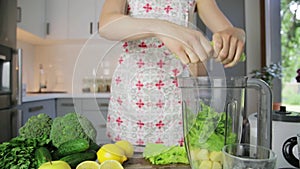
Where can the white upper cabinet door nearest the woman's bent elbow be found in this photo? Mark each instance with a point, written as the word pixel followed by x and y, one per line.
pixel 81 18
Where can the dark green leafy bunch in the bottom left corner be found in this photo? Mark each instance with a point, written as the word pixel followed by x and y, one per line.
pixel 18 153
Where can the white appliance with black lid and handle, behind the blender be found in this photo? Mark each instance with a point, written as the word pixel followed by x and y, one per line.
pixel 285 127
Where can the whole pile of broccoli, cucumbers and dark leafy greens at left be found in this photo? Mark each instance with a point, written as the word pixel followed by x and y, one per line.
pixel 41 138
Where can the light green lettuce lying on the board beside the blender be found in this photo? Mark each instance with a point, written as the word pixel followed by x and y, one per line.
pixel 161 154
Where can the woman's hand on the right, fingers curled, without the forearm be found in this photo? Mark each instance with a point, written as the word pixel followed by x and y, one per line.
pixel 229 45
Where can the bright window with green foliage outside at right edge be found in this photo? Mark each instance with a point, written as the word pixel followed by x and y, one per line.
pixel 290 53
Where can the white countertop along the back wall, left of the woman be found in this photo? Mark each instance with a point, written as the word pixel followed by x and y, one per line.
pixel 45 96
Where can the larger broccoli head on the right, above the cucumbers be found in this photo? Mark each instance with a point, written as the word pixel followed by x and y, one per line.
pixel 71 126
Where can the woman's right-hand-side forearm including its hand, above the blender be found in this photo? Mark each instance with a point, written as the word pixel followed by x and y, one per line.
pixel 228 40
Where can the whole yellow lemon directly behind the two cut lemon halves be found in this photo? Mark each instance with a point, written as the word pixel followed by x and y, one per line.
pixel 111 152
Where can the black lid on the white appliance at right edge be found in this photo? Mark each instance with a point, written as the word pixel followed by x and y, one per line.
pixel 286 116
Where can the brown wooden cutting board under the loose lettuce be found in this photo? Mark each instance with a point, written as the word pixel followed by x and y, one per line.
pixel 138 162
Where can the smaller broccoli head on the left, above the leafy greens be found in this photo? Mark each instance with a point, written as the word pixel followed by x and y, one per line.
pixel 37 127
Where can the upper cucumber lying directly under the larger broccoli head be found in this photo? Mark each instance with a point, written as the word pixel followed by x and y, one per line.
pixel 71 147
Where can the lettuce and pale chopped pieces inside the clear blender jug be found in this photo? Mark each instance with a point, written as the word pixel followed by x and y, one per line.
pixel 206 136
